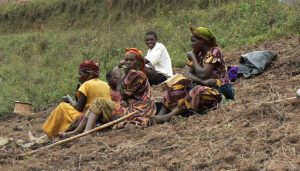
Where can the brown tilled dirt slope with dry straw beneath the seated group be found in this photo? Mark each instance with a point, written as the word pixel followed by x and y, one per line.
pixel 247 134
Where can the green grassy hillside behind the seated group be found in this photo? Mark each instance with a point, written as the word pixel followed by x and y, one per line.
pixel 42 42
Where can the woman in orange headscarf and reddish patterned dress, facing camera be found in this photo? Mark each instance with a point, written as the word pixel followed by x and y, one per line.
pixel 135 90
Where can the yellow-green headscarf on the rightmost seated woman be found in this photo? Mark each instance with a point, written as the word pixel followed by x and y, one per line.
pixel 206 34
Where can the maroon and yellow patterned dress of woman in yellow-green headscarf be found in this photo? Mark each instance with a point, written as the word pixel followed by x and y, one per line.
pixel 187 95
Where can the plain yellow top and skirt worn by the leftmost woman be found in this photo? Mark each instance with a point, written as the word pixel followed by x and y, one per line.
pixel 65 114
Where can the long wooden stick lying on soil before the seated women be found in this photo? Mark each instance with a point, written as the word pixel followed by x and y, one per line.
pixel 84 133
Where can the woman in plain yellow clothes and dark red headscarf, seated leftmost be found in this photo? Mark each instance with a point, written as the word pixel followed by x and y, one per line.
pixel 70 110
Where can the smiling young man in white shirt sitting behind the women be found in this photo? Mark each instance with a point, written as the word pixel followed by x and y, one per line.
pixel 159 66
